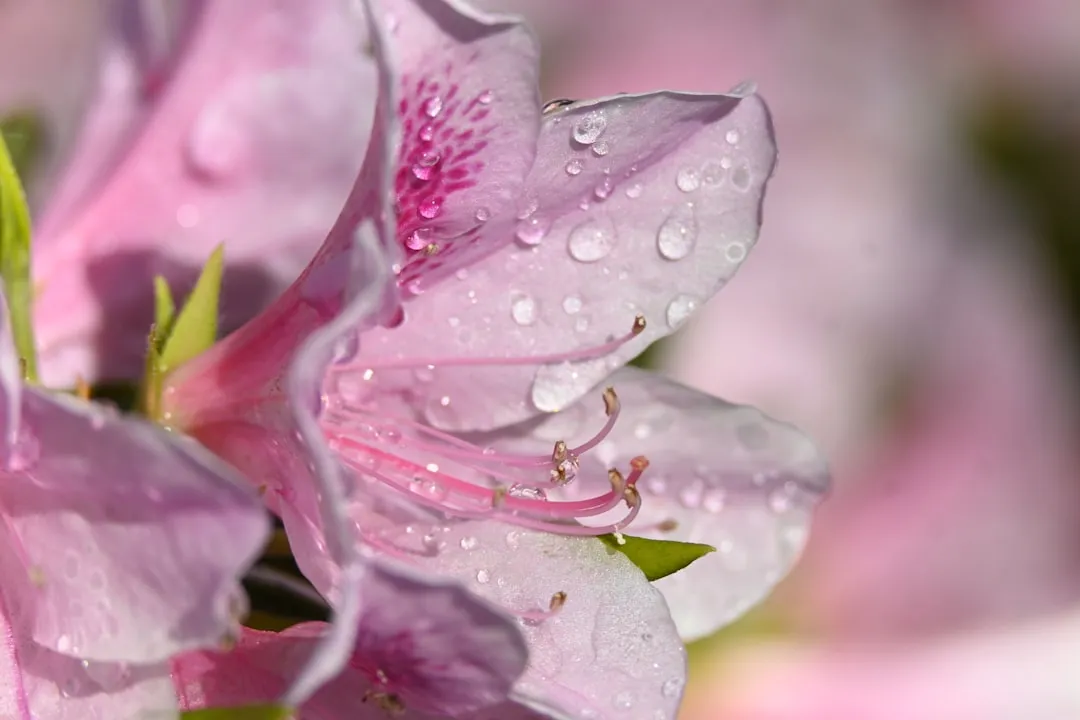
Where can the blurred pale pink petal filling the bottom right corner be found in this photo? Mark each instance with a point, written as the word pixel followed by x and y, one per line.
pixel 1012 674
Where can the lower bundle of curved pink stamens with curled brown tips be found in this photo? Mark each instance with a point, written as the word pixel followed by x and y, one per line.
pixel 462 480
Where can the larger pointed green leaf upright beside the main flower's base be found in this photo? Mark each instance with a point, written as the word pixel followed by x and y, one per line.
pixel 195 330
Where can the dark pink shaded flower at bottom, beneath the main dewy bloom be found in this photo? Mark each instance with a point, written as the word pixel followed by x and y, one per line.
pixel 440 650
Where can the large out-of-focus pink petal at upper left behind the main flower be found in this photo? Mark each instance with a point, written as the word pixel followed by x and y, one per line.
pixel 254 141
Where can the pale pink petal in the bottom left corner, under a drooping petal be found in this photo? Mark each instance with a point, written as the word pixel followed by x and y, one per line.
pixel 37 684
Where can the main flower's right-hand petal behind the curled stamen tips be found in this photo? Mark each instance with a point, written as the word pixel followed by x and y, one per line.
pixel 726 476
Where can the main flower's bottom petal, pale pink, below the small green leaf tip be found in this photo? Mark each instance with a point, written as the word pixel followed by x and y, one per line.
pixel 611 646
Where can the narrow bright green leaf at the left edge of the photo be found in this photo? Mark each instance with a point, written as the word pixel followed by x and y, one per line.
pixel 16 262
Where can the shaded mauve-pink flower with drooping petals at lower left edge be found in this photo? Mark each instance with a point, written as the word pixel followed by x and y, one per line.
pixel 121 548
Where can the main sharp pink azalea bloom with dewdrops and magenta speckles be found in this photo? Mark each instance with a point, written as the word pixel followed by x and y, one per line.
pixel 533 254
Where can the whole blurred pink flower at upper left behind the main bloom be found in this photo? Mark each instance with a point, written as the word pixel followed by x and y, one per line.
pixel 209 124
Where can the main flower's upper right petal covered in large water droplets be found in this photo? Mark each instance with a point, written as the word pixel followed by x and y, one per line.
pixel 654 227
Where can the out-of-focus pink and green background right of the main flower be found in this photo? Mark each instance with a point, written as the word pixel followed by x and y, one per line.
pixel 913 304
